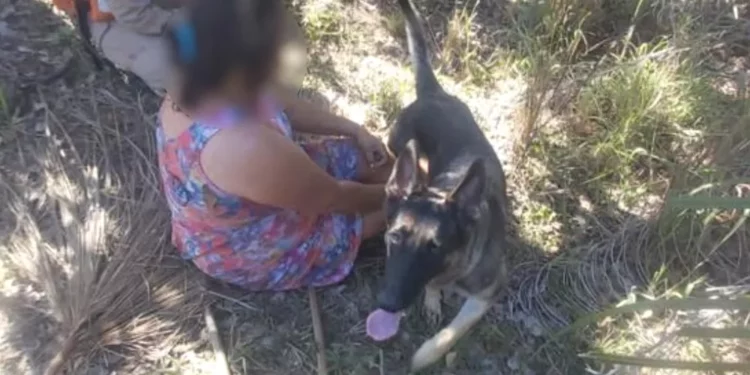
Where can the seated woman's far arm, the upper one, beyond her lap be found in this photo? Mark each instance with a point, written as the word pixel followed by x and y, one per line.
pixel 308 118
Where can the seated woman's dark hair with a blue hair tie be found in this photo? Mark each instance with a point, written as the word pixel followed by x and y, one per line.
pixel 217 36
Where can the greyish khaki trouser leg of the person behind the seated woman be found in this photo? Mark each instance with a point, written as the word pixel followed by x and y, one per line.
pixel 143 55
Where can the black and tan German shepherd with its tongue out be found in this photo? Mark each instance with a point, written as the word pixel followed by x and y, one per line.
pixel 446 208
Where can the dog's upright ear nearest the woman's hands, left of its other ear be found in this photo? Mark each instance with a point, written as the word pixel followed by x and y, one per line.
pixel 406 177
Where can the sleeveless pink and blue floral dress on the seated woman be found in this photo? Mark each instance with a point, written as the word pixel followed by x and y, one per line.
pixel 255 246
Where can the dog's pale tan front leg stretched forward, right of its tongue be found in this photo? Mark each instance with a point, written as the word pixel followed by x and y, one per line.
pixel 435 348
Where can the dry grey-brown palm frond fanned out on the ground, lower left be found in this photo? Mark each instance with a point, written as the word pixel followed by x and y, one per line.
pixel 100 270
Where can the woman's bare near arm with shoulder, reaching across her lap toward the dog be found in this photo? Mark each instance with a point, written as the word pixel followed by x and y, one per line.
pixel 261 165
